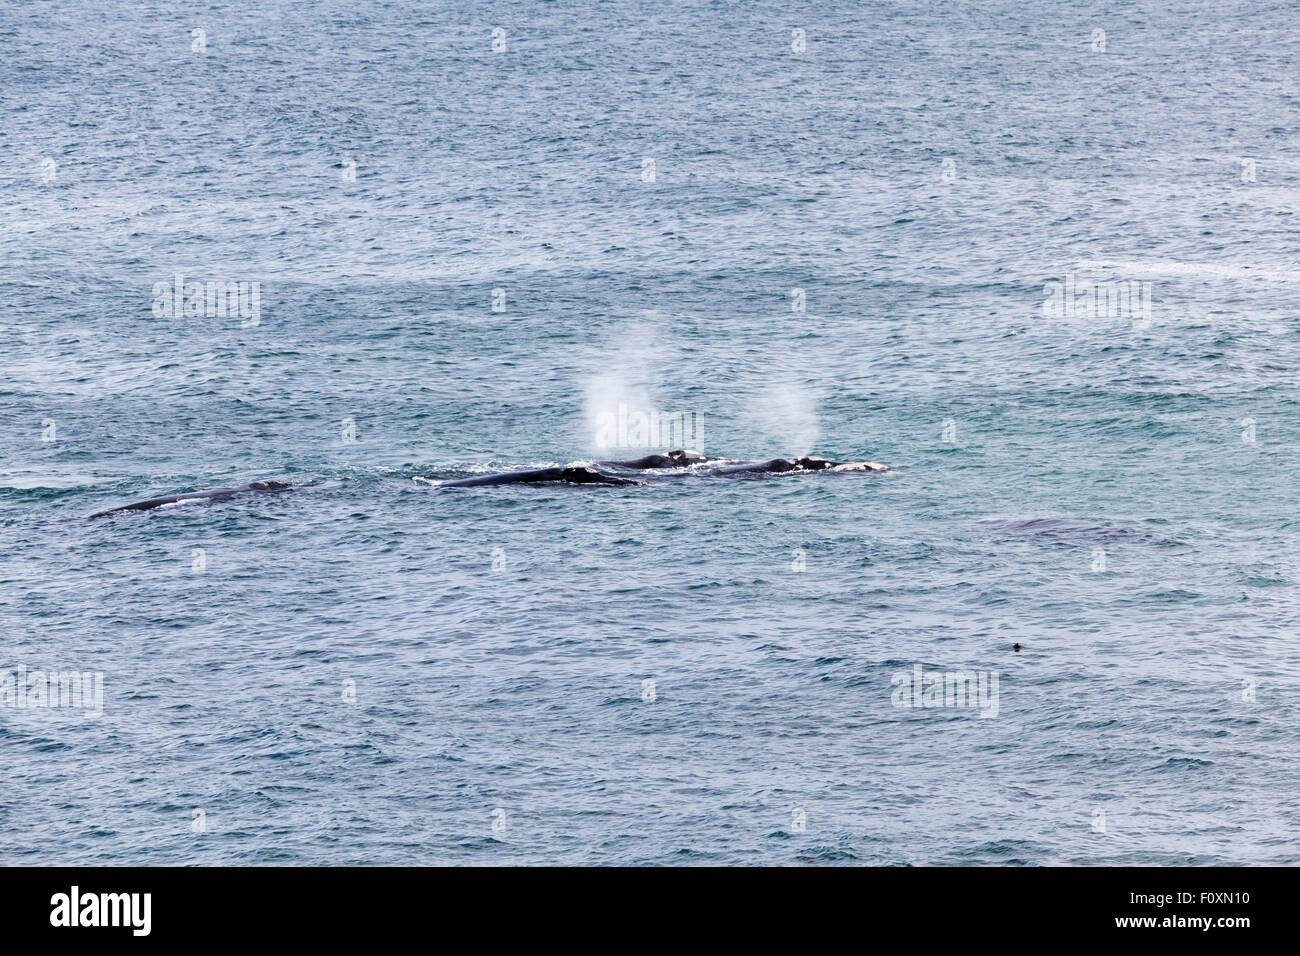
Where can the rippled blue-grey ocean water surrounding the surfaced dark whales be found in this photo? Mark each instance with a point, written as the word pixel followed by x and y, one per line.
pixel 825 228
